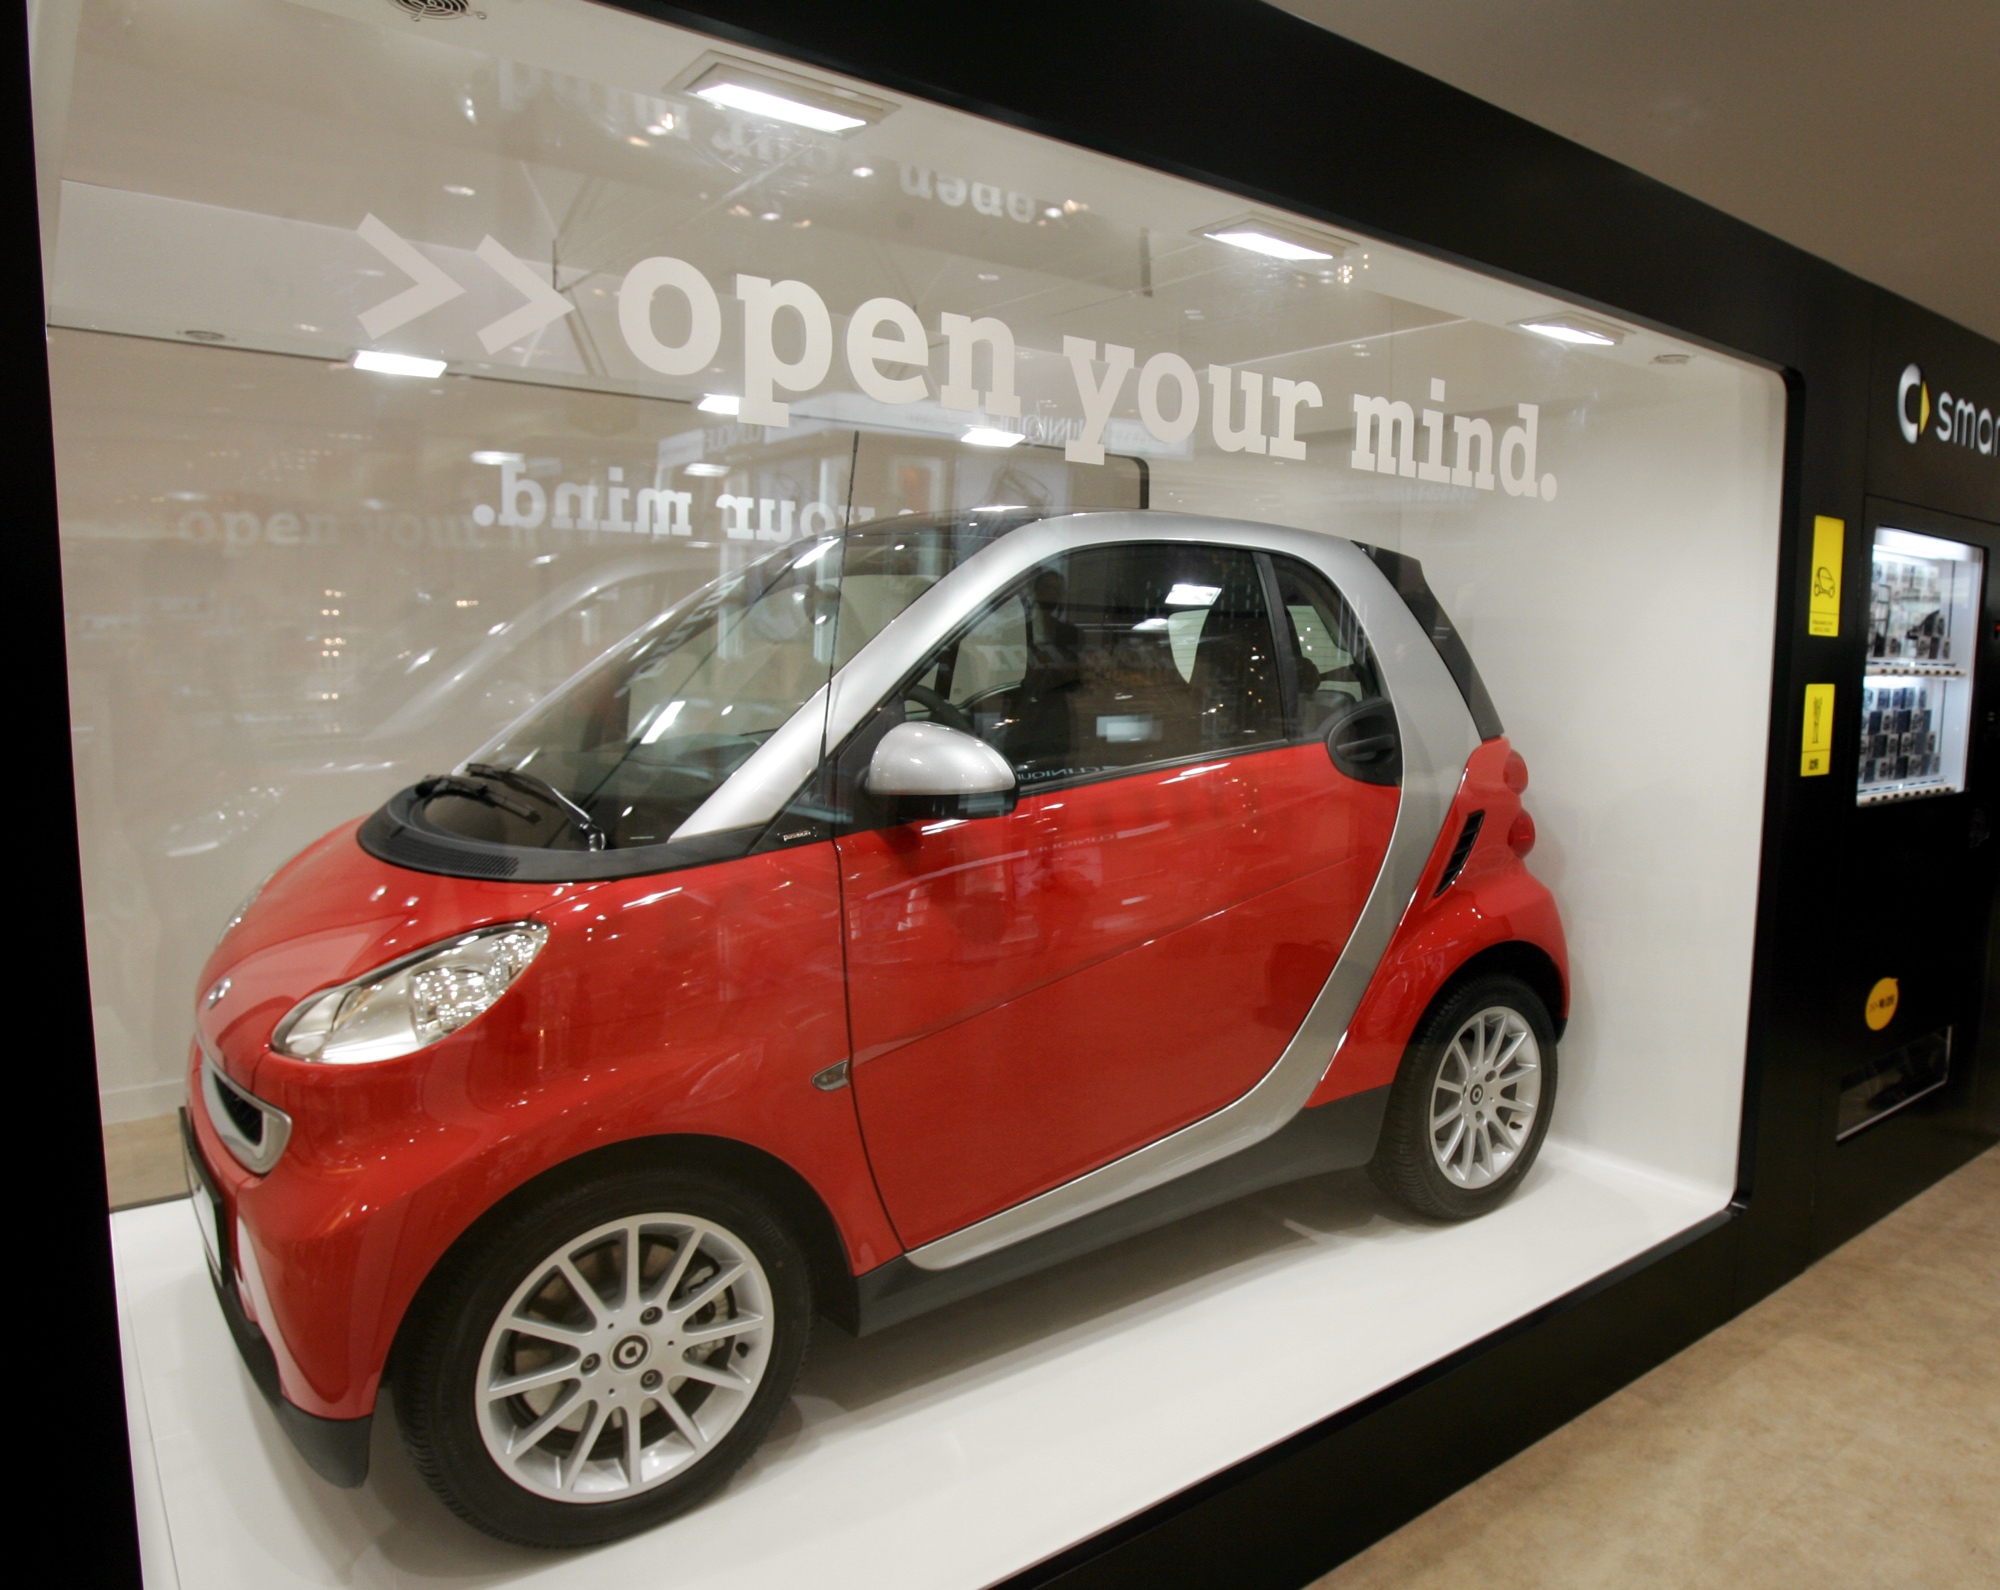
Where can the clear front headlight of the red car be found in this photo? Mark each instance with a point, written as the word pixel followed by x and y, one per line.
pixel 411 1003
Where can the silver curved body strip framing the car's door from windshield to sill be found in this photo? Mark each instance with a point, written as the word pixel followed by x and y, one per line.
pixel 1437 739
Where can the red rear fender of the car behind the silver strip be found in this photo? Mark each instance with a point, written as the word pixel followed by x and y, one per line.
pixel 1493 905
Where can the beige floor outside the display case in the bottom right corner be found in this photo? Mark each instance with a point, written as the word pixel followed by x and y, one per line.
pixel 1843 1433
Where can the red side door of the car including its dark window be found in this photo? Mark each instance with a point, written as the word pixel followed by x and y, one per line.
pixel 1041 991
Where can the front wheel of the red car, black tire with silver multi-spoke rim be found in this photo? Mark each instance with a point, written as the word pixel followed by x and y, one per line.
pixel 669 1385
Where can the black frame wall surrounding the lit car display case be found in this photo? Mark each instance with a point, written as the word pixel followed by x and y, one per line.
pixel 1249 99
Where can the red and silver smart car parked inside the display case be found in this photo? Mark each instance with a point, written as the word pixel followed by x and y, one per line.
pixel 903 913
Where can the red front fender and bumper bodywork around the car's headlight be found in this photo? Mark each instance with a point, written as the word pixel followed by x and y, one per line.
pixel 661 1007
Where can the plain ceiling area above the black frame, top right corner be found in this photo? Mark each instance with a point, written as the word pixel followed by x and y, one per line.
pixel 1865 133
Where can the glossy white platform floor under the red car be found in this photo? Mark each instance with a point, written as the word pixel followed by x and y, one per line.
pixel 951 1451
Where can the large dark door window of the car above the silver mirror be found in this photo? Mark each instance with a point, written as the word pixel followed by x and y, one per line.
pixel 1111 659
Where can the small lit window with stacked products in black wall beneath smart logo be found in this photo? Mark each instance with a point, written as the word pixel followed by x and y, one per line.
pixel 1917 687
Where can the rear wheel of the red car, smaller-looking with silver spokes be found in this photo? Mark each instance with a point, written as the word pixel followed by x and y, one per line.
pixel 1471 1103
